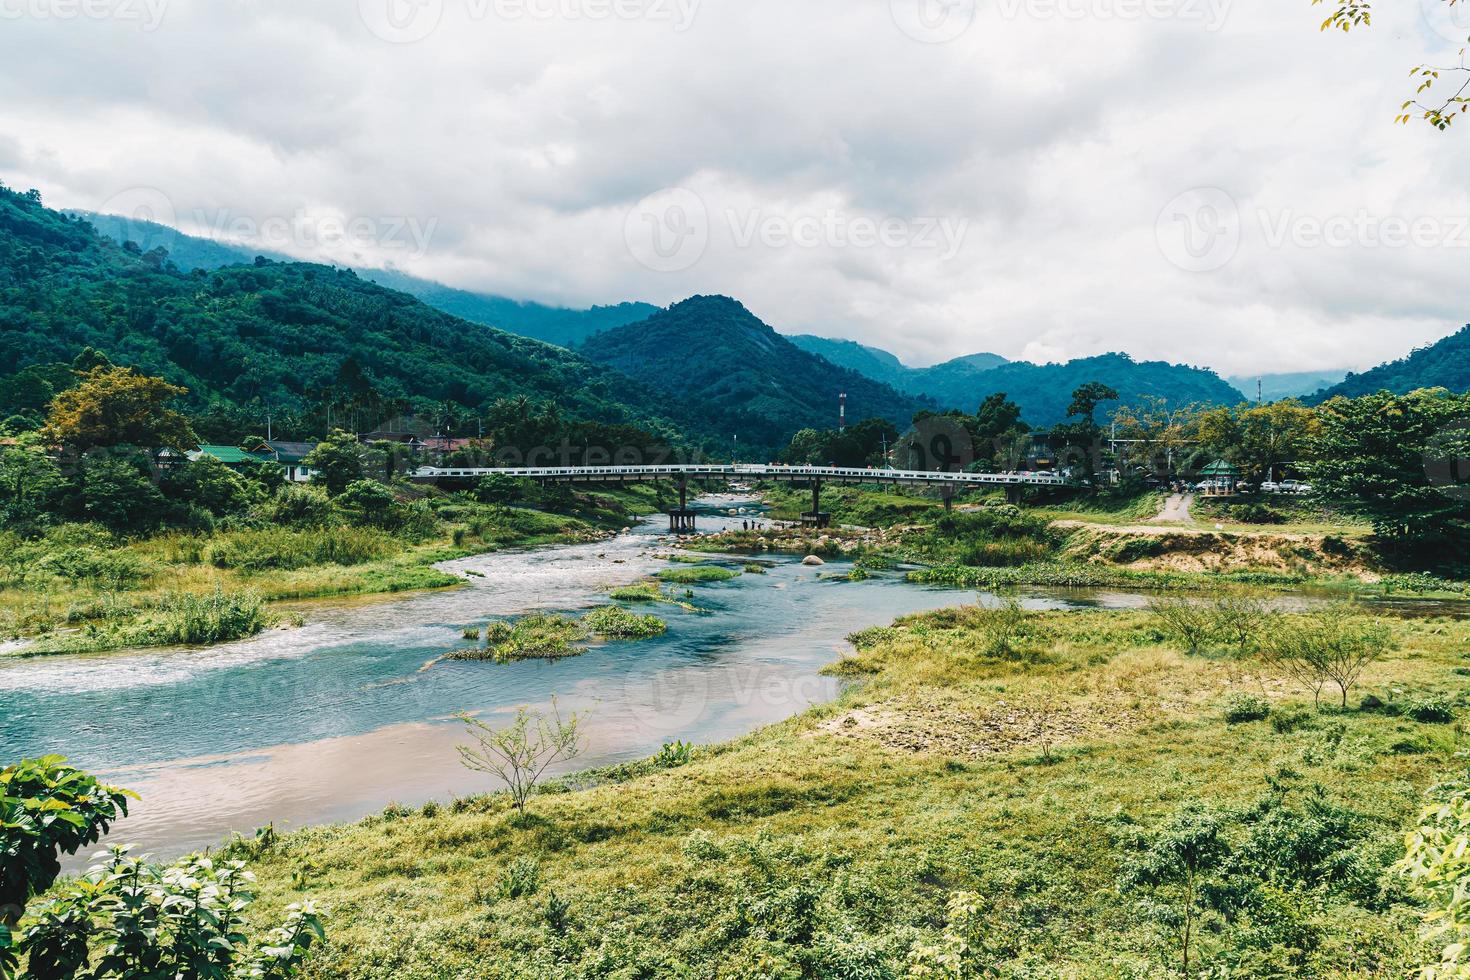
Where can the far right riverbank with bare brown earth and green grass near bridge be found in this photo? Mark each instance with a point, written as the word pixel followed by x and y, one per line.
pixel 1097 543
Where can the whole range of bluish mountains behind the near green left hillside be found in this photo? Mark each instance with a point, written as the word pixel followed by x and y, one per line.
pixel 720 368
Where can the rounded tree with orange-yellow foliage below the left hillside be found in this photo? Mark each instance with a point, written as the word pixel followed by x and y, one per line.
pixel 118 406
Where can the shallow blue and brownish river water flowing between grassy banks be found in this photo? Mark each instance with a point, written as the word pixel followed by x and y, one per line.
pixel 352 712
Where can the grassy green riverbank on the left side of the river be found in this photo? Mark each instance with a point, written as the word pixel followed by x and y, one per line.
pixel 82 590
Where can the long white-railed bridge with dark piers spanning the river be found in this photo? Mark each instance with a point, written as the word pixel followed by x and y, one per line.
pixel 683 519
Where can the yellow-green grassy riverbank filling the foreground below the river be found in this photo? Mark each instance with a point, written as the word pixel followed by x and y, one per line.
pixel 833 844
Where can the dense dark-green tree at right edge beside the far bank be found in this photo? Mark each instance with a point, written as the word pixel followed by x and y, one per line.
pixel 1396 461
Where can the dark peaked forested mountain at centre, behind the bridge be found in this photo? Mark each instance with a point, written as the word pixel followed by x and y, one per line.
pixel 740 377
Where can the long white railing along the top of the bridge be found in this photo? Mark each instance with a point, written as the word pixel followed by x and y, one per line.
pixel 737 471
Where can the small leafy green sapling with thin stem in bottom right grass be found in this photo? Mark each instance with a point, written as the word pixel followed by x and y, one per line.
pixel 1180 868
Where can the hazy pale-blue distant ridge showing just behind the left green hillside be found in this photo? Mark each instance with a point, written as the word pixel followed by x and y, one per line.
pixel 555 325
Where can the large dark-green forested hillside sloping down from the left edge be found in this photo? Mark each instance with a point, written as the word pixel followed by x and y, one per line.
pixel 289 339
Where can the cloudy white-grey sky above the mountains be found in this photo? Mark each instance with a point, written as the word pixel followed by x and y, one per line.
pixel 1206 181
